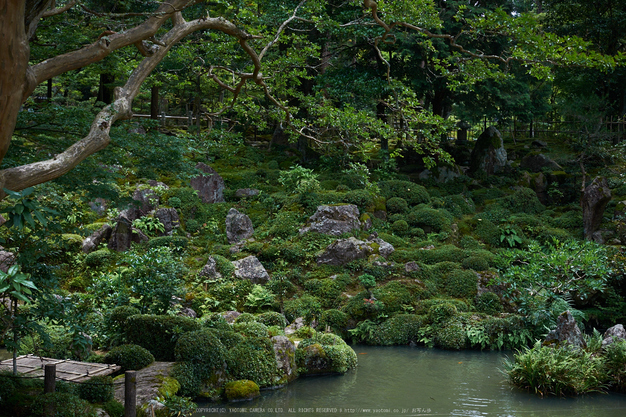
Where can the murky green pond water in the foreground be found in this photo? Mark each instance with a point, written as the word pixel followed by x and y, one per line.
pixel 404 381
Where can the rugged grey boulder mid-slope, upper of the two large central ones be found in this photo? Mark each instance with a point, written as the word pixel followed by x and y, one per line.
pixel 334 220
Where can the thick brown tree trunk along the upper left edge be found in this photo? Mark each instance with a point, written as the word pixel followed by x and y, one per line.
pixel 14 55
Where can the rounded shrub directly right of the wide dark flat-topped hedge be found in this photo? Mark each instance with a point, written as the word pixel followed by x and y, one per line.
pixel 202 347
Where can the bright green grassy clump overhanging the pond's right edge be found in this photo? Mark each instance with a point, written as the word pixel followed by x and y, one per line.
pixel 562 372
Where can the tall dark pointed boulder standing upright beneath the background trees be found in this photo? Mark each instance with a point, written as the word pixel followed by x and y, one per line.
pixel 488 154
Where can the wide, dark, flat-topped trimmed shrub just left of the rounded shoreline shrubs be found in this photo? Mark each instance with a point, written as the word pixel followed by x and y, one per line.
pixel 158 334
